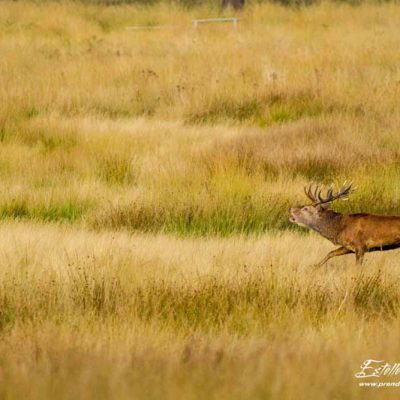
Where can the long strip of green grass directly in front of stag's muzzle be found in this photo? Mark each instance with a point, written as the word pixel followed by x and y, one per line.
pixel 241 215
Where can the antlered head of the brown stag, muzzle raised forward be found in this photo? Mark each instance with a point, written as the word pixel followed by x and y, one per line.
pixel 317 214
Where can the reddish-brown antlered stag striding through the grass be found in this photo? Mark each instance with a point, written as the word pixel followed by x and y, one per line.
pixel 354 233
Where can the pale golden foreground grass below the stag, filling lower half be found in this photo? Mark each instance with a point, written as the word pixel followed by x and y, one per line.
pixel 114 315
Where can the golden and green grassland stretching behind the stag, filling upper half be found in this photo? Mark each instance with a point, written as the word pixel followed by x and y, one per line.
pixel 201 131
